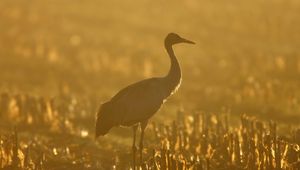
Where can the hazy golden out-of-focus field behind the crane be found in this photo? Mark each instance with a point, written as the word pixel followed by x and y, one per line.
pixel 66 57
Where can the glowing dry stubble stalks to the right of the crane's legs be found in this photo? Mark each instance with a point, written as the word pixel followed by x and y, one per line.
pixel 204 141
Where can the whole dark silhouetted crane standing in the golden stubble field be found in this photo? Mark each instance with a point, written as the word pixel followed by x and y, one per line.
pixel 137 103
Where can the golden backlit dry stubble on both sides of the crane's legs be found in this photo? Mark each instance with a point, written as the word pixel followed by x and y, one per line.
pixel 198 141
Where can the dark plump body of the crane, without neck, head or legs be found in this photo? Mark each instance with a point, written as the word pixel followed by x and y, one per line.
pixel 147 95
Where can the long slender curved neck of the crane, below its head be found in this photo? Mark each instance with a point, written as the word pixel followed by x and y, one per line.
pixel 173 78
